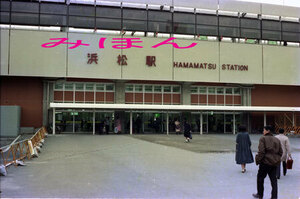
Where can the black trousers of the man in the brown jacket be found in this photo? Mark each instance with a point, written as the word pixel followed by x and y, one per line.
pixel 261 175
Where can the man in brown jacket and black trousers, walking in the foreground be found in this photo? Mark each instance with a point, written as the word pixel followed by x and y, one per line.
pixel 268 158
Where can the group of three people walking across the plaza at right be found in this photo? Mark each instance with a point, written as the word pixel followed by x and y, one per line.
pixel 272 150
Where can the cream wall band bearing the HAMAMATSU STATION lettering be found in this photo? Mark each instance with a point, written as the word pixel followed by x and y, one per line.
pixel 205 62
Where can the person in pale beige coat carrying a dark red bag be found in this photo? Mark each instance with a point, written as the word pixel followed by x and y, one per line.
pixel 286 149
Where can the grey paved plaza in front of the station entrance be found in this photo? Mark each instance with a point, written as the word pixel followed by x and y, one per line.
pixel 142 166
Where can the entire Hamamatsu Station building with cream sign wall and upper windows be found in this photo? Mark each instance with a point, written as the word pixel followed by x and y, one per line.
pixel 243 70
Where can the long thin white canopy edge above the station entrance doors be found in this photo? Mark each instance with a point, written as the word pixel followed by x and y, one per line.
pixel 173 107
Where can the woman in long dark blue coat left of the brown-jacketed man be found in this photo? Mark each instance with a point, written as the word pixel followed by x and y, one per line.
pixel 243 153
